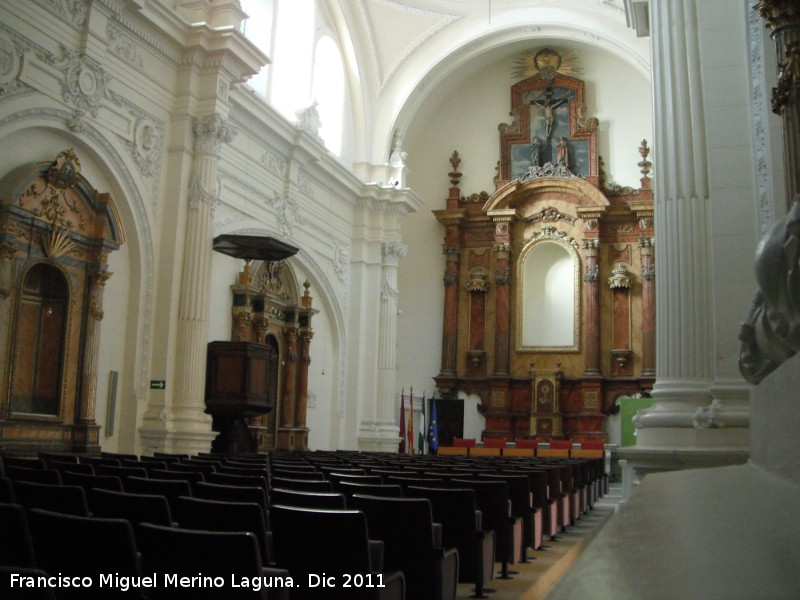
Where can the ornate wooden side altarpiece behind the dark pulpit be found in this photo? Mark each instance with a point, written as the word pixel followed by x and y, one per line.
pixel 271 328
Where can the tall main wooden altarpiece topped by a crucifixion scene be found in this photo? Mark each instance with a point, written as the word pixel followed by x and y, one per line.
pixel 550 198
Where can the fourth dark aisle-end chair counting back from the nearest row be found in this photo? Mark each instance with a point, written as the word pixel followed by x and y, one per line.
pixel 491 498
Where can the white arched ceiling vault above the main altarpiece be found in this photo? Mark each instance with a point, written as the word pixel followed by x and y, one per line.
pixel 407 48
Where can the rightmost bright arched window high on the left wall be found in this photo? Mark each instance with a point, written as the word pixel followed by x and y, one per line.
pixel 328 90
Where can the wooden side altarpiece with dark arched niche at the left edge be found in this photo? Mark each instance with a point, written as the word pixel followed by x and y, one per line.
pixel 56 232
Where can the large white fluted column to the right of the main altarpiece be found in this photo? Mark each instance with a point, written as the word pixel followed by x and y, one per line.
pixel 684 320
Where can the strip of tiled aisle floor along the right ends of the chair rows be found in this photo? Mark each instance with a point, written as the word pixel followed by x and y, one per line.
pixel 532 580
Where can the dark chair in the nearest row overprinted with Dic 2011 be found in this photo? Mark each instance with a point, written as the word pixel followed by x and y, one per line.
pixel 311 542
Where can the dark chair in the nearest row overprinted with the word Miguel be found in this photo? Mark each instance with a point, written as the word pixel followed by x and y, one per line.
pixel 87 546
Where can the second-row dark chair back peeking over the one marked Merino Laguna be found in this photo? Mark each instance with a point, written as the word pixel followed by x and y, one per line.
pixel 218 515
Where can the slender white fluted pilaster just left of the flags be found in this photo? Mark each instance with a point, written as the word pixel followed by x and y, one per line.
pixel 382 433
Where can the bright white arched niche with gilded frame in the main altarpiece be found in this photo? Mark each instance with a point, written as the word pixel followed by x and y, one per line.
pixel 548 297
